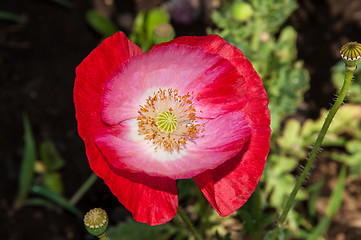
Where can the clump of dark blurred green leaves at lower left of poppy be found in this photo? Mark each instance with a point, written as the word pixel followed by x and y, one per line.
pixel 40 183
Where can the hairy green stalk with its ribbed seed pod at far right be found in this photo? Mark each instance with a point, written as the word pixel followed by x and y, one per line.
pixel 351 65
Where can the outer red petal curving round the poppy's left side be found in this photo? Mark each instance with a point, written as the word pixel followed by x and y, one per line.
pixel 161 194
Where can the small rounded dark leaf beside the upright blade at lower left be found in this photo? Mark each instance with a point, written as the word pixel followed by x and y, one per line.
pixel 50 156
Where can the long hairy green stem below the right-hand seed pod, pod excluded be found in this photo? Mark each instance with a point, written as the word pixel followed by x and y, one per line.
pixel 315 150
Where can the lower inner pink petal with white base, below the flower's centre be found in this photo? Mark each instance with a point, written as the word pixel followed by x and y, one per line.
pixel 224 138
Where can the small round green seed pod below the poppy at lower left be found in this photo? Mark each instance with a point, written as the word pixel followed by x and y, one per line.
pixel 96 221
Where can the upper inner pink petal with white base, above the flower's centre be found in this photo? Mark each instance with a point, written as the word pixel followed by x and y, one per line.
pixel 181 67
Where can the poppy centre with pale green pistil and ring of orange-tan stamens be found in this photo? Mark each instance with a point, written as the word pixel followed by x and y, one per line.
pixel 167 120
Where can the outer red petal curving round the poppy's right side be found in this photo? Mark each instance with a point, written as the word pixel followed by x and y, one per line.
pixel 228 186
